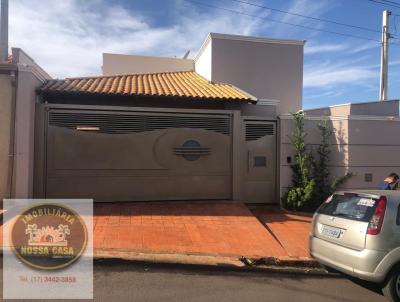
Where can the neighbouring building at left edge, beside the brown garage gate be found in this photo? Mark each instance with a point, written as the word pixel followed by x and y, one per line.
pixel 19 78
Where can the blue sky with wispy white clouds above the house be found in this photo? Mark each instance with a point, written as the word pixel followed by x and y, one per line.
pixel 68 37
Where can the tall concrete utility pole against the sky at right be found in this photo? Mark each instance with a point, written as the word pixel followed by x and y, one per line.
pixel 383 92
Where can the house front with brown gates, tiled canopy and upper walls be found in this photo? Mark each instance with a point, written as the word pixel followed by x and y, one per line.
pixel 171 129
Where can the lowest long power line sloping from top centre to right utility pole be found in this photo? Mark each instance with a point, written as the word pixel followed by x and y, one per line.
pixel 282 22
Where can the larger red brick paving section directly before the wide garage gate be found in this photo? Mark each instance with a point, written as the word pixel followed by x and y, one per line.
pixel 220 228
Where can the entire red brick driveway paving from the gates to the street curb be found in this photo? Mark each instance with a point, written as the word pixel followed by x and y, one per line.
pixel 221 228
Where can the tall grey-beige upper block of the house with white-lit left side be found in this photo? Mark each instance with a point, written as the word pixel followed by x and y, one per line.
pixel 266 68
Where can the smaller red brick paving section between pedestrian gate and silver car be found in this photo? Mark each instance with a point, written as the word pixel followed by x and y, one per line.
pixel 291 230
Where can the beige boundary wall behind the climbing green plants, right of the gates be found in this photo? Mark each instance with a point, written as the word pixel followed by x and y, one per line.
pixel 360 145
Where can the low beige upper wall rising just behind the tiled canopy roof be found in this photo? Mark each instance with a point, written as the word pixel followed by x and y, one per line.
pixel 114 64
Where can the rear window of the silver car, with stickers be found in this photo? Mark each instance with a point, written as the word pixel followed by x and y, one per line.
pixel 353 207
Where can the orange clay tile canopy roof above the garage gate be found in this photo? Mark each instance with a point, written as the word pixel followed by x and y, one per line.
pixel 187 84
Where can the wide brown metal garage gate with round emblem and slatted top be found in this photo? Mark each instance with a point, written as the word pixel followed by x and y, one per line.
pixel 132 155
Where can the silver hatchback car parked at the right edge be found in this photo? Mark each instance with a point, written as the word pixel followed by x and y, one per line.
pixel 358 233
